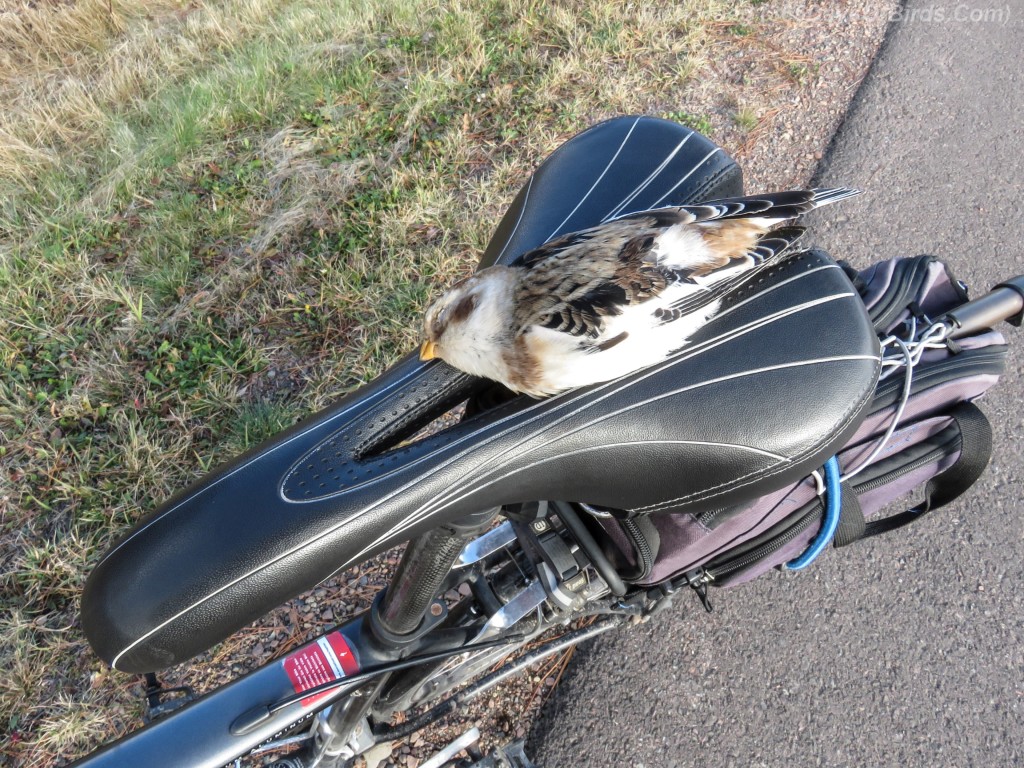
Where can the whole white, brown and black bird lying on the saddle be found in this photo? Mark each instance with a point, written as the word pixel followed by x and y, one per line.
pixel 598 305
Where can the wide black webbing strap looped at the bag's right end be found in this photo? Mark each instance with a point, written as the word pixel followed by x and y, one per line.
pixel 976 451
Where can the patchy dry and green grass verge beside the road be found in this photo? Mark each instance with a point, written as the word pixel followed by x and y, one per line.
pixel 219 217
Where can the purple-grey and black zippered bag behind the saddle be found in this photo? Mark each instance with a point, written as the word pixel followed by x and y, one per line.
pixel 923 430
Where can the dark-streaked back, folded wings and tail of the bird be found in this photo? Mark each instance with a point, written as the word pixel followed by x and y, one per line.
pixel 575 283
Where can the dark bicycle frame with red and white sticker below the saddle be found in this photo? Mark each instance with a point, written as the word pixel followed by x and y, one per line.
pixel 257 712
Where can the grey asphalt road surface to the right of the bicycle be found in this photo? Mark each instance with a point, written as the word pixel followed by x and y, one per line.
pixel 903 651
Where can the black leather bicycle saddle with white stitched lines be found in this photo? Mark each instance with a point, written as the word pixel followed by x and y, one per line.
pixel 766 393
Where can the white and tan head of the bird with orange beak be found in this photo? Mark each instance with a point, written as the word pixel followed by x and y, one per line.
pixel 470 325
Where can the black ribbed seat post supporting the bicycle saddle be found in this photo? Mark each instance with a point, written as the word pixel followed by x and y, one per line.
pixel 424 567
